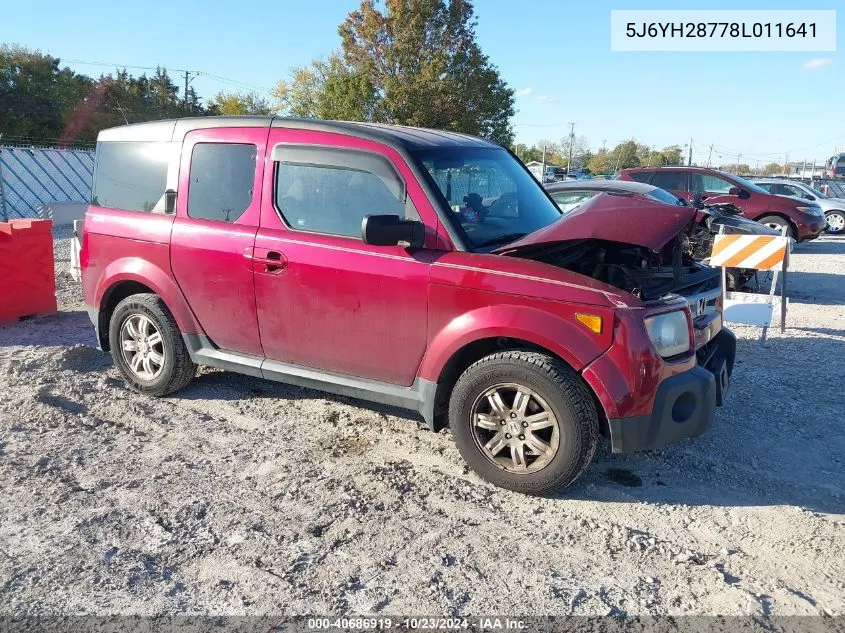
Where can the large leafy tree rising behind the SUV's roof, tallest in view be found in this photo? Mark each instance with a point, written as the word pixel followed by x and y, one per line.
pixel 416 62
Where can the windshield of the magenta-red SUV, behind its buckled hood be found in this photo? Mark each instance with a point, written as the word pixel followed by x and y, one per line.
pixel 490 196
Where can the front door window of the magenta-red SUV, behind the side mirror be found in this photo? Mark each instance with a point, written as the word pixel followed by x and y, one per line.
pixel 326 190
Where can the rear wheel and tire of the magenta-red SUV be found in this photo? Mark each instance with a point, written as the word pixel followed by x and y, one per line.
pixel 155 366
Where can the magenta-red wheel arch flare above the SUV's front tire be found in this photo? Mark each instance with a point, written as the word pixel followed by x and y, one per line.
pixel 569 340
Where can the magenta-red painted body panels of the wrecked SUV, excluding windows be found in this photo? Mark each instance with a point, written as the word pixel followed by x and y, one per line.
pixel 389 314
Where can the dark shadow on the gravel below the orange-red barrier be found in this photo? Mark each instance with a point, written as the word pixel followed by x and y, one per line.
pixel 62 328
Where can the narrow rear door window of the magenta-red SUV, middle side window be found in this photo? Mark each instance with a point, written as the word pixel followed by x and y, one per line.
pixel 222 179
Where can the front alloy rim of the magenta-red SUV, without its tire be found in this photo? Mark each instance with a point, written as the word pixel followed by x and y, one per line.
pixel 515 428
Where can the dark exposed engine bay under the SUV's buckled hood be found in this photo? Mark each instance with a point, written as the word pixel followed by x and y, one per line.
pixel 635 269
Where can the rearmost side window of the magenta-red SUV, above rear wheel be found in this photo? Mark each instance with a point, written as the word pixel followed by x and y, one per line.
pixel 131 176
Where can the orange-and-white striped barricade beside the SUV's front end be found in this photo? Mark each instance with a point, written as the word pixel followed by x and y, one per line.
pixel 758 252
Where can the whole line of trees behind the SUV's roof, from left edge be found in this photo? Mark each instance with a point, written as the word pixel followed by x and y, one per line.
pixel 412 62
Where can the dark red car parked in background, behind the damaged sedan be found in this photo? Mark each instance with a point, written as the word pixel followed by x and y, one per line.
pixel 803 220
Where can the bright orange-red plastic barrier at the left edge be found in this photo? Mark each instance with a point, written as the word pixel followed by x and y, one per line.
pixel 27 276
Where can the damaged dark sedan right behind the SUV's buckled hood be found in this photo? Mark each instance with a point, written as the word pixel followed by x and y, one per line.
pixel 709 219
